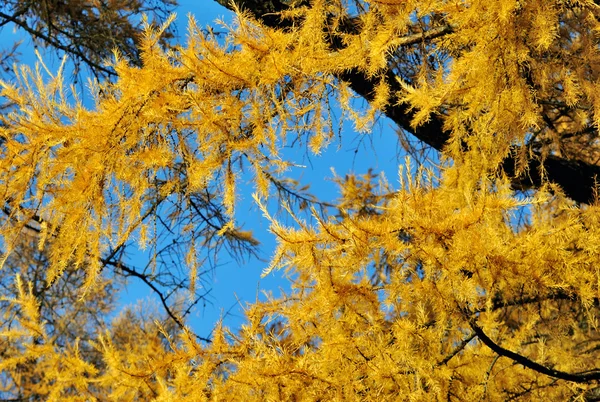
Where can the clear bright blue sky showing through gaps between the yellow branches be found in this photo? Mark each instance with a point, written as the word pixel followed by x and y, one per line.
pixel 233 284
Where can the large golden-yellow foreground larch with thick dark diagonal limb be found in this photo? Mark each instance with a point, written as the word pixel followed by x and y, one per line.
pixel 474 278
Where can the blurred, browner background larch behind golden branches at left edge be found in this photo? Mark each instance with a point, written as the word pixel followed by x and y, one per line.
pixel 86 32
